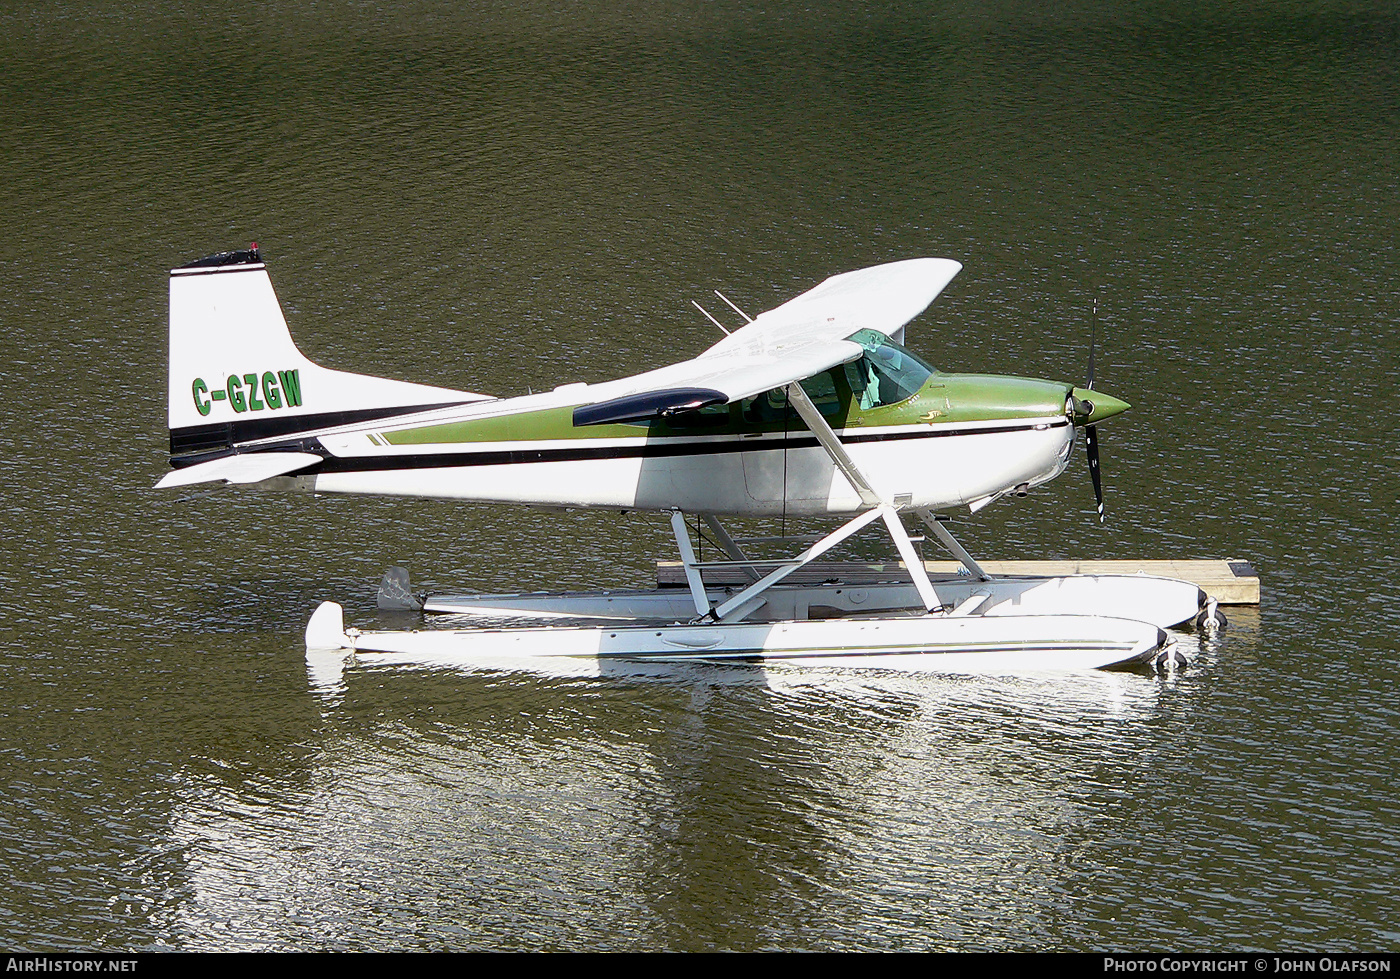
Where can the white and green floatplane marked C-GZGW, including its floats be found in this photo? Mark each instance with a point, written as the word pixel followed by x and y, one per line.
pixel 811 410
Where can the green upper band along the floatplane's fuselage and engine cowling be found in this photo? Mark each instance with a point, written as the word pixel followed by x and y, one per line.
pixel 946 398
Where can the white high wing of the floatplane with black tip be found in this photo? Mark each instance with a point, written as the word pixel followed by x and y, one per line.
pixel 792 342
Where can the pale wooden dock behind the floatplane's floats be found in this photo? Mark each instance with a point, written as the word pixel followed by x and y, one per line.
pixel 1228 582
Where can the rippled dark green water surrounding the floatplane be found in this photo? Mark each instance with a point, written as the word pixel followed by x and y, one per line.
pixel 507 197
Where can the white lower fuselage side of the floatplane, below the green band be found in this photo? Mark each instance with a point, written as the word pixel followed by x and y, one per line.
pixel 922 466
